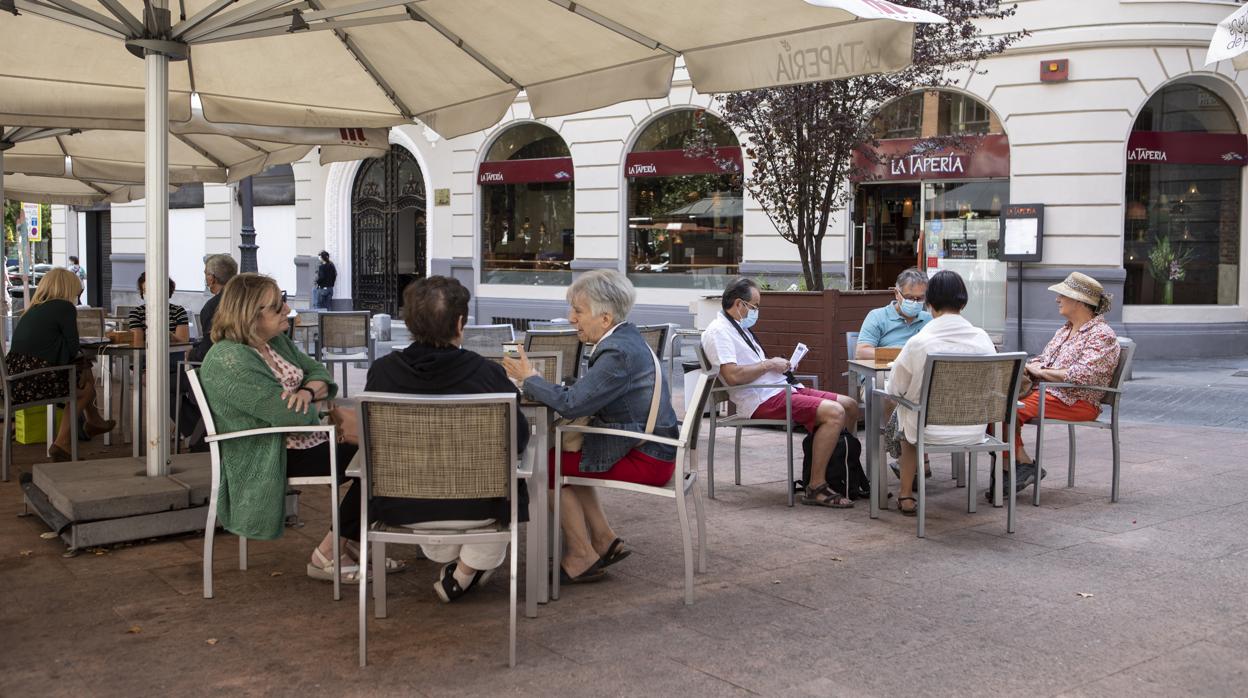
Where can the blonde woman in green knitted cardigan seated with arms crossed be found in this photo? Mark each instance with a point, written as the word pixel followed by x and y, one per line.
pixel 255 378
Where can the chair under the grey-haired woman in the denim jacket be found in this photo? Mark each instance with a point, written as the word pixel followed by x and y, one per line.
pixel 685 481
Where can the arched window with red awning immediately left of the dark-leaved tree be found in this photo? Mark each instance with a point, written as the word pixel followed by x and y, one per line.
pixel 685 214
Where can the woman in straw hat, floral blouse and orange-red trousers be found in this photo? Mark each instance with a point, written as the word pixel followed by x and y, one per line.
pixel 1084 351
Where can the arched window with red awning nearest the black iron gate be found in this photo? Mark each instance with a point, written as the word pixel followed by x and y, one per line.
pixel 527 208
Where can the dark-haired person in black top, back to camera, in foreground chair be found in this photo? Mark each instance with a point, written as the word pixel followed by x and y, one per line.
pixel 436 312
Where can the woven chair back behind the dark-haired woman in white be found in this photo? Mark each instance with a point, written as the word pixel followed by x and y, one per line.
pixel 972 390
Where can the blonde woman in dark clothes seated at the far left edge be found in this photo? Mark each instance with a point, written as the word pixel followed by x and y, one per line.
pixel 47 335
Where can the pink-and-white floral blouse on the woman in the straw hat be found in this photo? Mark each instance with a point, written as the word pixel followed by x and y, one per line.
pixel 1089 358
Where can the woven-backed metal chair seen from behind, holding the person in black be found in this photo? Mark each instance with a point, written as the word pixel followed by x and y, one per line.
pixel 436 448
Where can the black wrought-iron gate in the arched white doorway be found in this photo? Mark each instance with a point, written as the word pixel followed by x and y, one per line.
pixel 388 220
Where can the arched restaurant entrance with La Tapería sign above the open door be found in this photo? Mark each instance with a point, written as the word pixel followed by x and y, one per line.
pixel 932 197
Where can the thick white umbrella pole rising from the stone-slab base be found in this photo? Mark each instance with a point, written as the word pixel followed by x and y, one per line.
pixel 157 259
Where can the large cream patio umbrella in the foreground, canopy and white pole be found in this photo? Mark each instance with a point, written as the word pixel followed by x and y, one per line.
pixel 457 66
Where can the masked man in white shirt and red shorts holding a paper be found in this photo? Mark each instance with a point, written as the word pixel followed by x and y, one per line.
pixel 733 349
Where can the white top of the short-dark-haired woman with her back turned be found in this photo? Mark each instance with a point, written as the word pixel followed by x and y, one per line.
pixel 948 334
